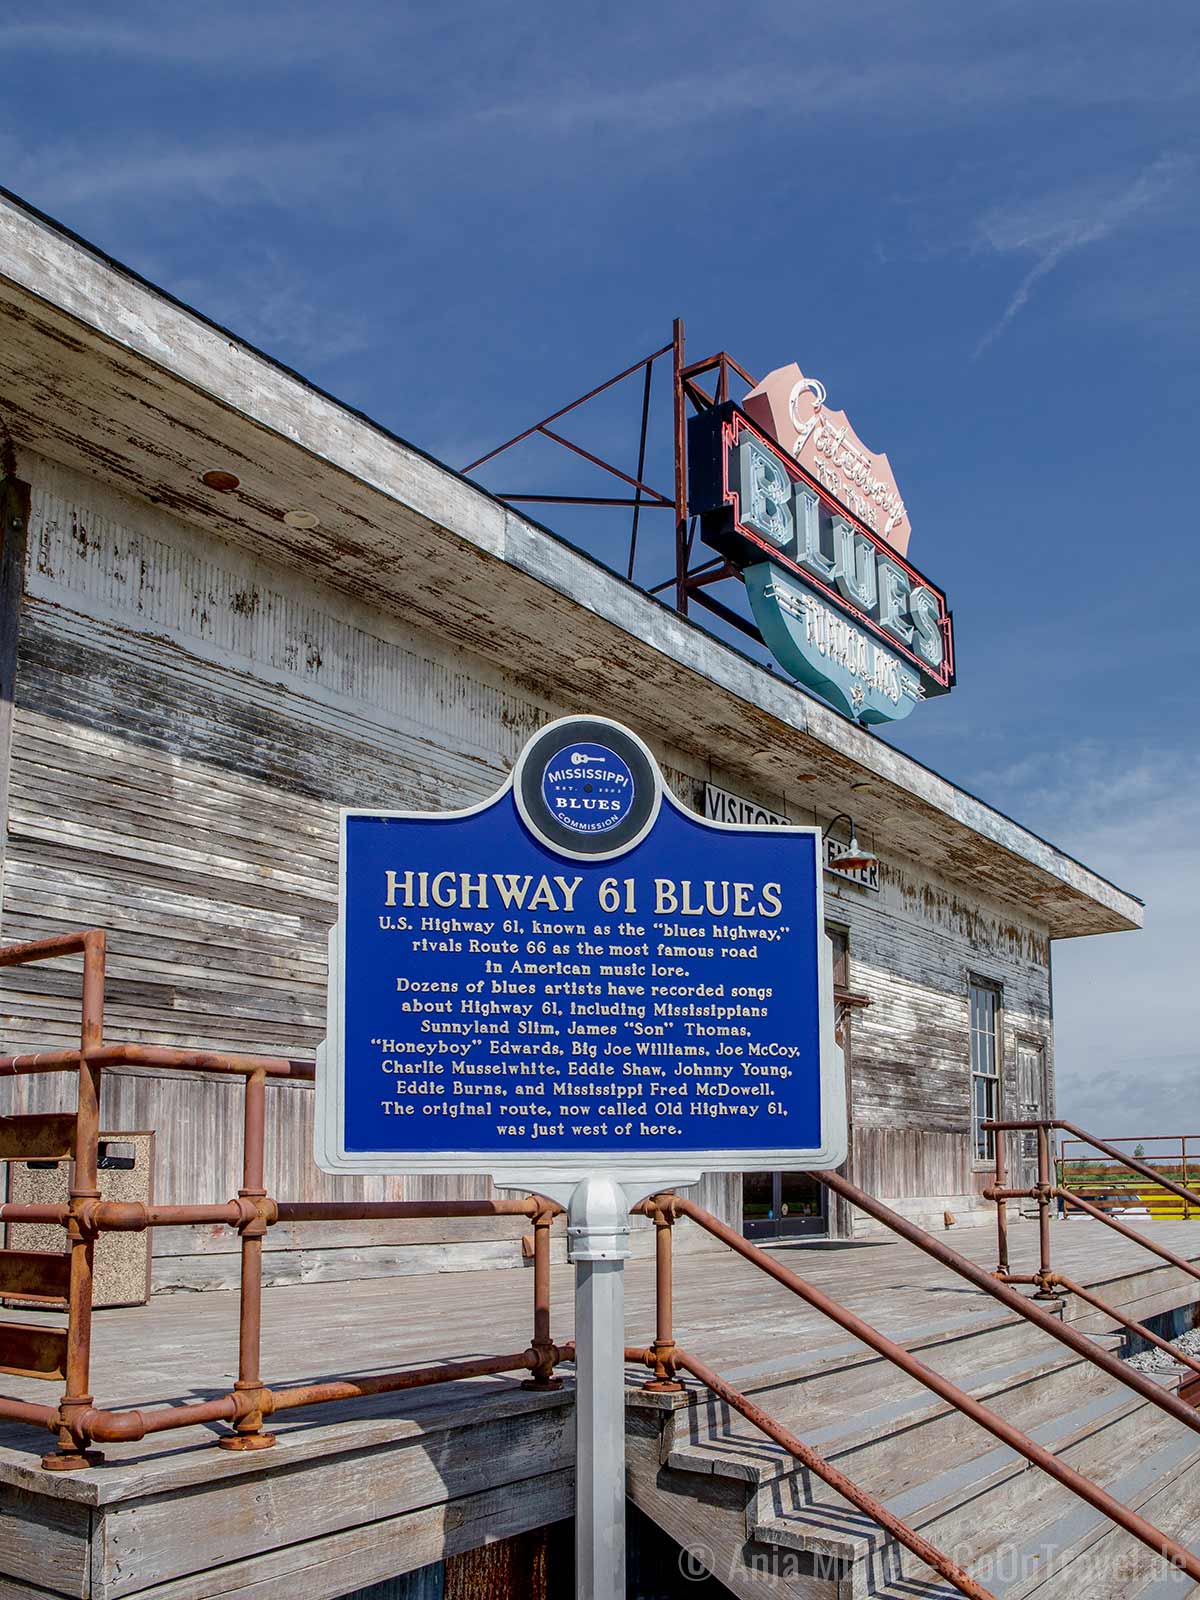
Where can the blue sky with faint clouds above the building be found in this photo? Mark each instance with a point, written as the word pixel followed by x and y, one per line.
pixel 975 223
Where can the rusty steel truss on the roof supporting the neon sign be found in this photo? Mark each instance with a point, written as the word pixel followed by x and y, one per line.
pixel 689 585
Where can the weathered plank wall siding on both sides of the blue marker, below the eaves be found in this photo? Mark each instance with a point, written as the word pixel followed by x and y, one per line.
pixel 190 719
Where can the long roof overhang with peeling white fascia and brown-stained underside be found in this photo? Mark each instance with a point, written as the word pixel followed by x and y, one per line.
pixel 110 375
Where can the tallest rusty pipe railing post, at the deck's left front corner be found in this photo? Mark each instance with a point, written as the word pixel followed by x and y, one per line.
pixel 73 1442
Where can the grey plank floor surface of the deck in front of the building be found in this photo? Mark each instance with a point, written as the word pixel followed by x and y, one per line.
pixel 183 1348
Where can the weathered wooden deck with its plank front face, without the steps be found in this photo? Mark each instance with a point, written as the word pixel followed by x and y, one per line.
pixel 487 1452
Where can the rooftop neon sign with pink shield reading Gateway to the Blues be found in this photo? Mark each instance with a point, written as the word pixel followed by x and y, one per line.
pixel 817 527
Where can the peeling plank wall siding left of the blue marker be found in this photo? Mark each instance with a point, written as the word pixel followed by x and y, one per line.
pixel 188 722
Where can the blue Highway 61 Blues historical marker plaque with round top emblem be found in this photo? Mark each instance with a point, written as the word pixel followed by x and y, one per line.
pixel 578 977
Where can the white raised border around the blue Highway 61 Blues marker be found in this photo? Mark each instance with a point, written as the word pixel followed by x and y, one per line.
pixel 522 1170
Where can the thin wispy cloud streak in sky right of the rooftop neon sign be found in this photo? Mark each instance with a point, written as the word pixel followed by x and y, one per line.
pixel 1066 223
